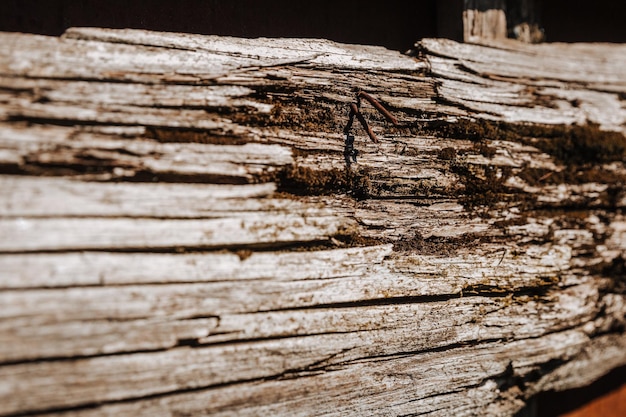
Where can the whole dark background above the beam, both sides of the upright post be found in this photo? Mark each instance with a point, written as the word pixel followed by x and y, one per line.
pixel 395 24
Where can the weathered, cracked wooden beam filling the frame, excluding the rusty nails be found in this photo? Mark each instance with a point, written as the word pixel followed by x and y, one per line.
pixel 180 234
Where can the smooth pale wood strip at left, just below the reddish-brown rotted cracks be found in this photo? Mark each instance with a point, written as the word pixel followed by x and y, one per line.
pixel 58 197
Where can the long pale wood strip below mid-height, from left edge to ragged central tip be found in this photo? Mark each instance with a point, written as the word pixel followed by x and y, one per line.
pixel 95 268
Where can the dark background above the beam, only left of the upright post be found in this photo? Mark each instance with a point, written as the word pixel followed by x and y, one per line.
pixel 392 23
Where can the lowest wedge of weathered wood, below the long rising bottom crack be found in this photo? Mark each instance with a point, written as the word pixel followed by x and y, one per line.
pixel 387 385
